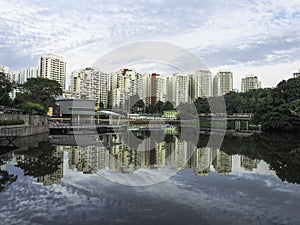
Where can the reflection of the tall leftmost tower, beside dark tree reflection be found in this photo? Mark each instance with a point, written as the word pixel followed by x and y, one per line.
pixel 54 178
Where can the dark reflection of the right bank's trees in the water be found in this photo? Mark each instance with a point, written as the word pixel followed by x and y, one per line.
pixel 280 151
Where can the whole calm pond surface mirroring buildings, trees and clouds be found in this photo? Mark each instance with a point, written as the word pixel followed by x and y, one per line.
pixel 136 179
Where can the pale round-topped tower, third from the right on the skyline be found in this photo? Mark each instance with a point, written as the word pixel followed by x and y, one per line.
pixel 203 83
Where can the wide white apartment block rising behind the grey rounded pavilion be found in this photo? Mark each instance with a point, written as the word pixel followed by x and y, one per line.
pixel 90 83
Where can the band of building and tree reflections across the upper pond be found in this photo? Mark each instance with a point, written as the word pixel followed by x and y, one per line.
pixel 97 153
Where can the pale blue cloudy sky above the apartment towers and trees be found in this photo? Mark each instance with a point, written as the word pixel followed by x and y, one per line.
pixel 247 36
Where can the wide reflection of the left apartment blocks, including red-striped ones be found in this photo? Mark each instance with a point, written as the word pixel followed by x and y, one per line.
pixel 118 158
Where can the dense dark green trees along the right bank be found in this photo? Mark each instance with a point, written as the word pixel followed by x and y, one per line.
pixel 274 108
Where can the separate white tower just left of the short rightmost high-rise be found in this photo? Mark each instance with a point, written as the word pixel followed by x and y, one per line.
pixel 223 82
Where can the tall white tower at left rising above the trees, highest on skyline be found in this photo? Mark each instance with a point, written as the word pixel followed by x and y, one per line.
pixel 53 67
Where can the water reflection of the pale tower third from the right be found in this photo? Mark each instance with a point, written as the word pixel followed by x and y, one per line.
pixel 201 161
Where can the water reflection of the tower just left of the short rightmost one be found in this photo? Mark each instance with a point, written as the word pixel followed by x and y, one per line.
pixel 222 163
